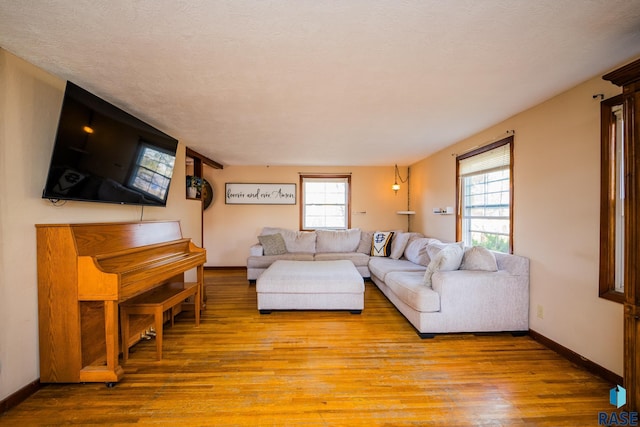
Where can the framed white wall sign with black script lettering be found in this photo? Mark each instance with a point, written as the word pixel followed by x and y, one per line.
pixel 259 194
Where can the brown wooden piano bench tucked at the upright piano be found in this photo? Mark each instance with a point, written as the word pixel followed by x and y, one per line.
pixel 156 301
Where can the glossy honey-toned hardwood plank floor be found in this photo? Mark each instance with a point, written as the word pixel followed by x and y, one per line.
pixel 325 369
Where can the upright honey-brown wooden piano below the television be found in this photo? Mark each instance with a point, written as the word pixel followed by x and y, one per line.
pixel 84 272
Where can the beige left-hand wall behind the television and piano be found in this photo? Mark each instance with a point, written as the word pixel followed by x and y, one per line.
pixel 30 102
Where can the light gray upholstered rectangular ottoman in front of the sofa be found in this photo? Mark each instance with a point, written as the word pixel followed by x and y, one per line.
pixel 310 285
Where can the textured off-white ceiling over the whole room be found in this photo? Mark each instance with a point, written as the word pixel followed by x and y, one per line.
pixel 306 82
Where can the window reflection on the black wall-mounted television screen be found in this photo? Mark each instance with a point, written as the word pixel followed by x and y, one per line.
pixel 152 171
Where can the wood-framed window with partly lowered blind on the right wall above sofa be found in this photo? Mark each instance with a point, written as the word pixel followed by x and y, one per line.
pixel 485 196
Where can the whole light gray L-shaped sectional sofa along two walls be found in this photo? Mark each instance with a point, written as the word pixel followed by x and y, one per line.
pixel 439 287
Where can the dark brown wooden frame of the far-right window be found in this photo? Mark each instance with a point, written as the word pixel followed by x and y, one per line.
pixel 608 177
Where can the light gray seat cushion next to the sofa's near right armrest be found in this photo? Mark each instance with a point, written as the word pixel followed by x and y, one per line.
pixel 409 288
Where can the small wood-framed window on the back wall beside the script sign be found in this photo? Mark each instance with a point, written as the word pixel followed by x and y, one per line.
pixel 325 201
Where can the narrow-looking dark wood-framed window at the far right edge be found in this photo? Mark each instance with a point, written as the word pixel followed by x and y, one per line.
pixel 612 199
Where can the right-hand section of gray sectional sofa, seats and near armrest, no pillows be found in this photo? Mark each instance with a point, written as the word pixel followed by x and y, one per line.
pixel 461 300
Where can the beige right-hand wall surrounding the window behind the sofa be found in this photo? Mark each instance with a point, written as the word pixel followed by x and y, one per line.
pixel 556 216
